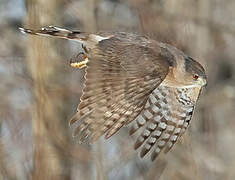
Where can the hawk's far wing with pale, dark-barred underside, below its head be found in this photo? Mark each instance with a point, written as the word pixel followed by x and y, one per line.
pixel 165 118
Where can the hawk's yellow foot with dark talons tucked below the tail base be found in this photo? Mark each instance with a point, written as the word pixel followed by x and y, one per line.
pixel 79 61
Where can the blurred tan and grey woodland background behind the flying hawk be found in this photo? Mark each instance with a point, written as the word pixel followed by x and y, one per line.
pixel 39 91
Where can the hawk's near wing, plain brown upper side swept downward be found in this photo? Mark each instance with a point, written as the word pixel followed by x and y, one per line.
pixel 119 78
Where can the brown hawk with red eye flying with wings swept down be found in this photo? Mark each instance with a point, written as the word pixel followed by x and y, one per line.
pixel 131 77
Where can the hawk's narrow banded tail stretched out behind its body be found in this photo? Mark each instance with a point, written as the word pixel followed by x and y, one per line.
pixel 58 32
